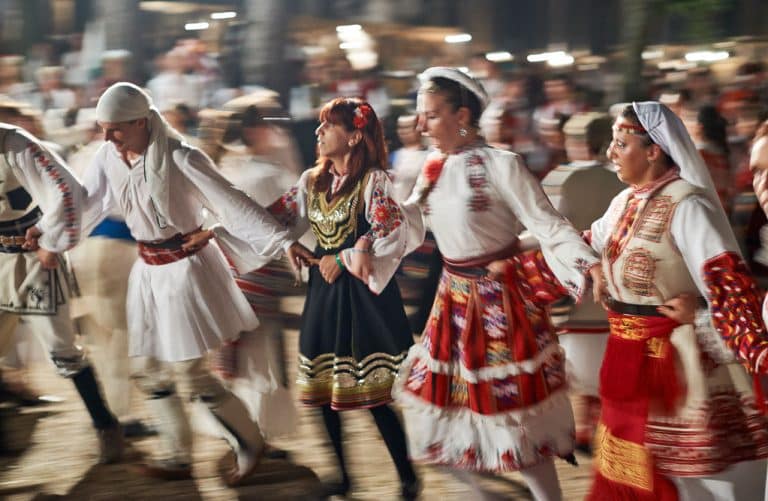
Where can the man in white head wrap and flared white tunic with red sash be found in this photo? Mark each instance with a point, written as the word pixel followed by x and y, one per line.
pixel 182 301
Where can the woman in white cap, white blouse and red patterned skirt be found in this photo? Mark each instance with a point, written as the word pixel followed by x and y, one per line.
pixel 485 389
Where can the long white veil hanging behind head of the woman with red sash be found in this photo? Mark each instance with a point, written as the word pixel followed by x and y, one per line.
pixel 667 130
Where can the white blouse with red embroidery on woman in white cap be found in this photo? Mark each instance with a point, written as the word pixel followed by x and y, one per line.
pixel 481 202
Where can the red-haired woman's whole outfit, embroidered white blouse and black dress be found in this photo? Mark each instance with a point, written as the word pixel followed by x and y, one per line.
pixel 353 336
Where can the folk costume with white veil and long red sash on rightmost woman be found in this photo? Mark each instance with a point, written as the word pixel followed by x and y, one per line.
pixel 675 403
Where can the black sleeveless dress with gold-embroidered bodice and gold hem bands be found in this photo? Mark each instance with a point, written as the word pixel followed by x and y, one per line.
pixel 352 341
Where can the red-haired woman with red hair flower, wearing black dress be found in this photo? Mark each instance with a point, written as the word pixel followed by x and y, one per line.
pixel 354 332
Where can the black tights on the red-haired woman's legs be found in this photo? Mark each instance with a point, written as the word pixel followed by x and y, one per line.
pixel 391 431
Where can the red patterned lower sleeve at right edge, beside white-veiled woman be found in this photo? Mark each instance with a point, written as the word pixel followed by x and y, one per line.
pixel 736 309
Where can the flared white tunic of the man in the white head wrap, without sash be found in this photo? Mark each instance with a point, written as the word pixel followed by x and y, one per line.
pixel 181 310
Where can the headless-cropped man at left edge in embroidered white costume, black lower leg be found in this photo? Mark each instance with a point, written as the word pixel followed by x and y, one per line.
pixel 40 202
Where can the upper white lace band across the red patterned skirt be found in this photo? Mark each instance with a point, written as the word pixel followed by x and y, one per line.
pixel 530 366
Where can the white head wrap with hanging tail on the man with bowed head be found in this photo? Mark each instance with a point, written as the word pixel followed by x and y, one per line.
pixel 123 102
